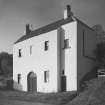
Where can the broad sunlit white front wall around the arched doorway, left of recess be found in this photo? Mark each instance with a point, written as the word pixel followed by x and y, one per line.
pixel 38 62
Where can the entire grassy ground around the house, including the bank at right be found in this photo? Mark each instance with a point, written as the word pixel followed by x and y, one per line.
pixel 92 94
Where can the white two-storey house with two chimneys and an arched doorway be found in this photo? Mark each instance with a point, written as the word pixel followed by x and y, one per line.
pixel 55 57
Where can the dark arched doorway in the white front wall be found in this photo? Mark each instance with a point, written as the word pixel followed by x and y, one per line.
pixel 32 82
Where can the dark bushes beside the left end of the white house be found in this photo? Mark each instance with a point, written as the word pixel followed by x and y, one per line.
pixel 6 70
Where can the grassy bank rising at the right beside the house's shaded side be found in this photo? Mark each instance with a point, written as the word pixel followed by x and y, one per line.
pixel 94 94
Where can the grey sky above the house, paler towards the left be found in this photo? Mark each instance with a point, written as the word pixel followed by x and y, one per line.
pixel 15 14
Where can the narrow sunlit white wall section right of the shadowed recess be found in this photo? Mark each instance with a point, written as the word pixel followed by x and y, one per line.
pixel 70 64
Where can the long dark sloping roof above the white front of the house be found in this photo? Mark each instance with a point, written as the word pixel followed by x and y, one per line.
pixel 45 29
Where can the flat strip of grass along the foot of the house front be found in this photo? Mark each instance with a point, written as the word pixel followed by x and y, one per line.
pixel 49 98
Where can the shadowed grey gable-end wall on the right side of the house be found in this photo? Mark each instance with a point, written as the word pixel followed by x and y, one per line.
pixel 86 45
